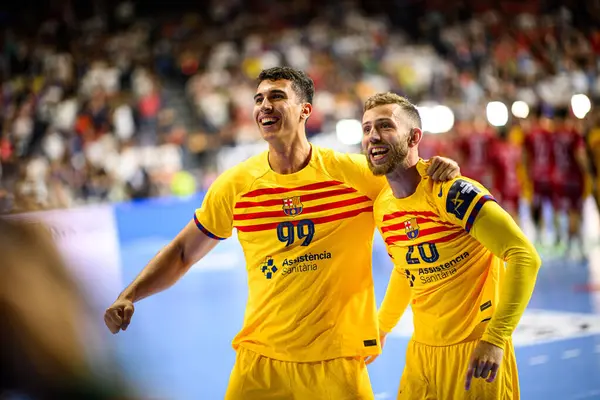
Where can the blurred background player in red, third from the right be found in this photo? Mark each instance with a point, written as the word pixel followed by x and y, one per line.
pixel 505 157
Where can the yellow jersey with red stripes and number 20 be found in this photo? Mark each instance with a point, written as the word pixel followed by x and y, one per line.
pixel 453 279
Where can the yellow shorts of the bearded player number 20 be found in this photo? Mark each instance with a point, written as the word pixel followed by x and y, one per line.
pixel 439 373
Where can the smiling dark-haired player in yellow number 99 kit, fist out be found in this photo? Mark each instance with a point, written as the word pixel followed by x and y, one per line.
pixel 304 219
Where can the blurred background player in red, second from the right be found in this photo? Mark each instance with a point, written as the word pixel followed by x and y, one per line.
pixel 539 160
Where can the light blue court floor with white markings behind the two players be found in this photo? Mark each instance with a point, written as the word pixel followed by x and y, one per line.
pixel 179 343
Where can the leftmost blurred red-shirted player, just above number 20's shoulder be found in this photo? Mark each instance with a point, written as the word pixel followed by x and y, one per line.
pixel 474 149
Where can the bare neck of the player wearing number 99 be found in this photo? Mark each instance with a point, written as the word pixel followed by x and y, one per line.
pixel 288 158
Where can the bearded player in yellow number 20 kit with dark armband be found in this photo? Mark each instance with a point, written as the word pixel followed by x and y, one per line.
pixel 449 242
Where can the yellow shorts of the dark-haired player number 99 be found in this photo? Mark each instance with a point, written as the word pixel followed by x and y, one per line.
pixel 258 377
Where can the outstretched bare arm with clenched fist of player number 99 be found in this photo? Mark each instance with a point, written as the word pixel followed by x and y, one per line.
pixel 166 268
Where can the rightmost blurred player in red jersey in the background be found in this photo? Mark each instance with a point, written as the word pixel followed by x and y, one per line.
pixel 568 177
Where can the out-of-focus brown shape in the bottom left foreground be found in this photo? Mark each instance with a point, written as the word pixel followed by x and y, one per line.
pixel 44 346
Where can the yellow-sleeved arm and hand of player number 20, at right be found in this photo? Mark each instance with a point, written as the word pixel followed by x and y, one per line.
pixel 498 232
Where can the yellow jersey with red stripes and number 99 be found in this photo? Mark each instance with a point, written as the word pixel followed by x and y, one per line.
pixel 307 239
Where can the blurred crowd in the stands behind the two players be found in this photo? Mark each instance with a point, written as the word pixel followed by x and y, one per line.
pixel 120 100
